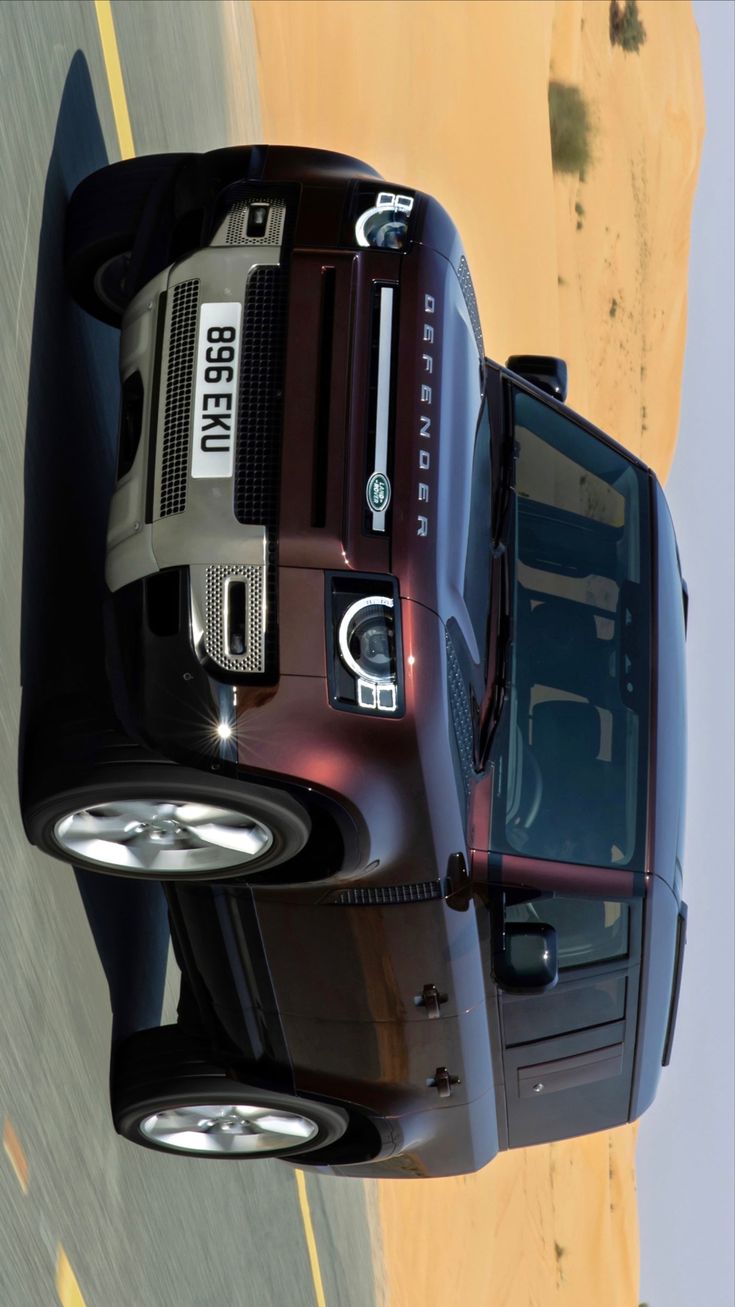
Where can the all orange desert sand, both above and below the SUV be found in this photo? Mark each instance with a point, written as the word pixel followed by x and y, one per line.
pixel 453 99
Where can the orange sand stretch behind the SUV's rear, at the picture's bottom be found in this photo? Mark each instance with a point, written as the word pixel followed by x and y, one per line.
pixel 547 1225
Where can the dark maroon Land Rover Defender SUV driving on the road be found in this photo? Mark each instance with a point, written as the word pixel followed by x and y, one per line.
pixel 397 642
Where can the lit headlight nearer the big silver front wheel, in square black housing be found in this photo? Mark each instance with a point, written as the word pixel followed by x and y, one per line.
pixel 367 663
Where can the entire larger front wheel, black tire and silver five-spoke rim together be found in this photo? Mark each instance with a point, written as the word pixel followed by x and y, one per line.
pixel 160 821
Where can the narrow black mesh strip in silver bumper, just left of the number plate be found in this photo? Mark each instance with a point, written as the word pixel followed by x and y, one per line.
pixel 177 412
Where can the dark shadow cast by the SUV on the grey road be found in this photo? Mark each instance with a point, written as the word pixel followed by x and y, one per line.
pixel 69 476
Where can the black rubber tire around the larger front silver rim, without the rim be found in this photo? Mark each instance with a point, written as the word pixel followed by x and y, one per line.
pixel 286 823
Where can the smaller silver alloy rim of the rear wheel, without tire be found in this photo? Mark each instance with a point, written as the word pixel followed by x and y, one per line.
pixel 228 1129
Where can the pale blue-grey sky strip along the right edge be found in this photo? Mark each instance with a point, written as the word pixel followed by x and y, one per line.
pixel 686 1148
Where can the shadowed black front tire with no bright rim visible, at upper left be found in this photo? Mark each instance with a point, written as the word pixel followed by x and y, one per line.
pixel 103 220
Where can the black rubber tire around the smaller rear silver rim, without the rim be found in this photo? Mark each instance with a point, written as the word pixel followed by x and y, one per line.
pixel 158 1071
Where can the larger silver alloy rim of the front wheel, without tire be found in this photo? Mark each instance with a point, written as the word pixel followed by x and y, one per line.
pixel 162 836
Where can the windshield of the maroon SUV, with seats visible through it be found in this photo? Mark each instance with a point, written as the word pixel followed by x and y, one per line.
pixel 571 755
